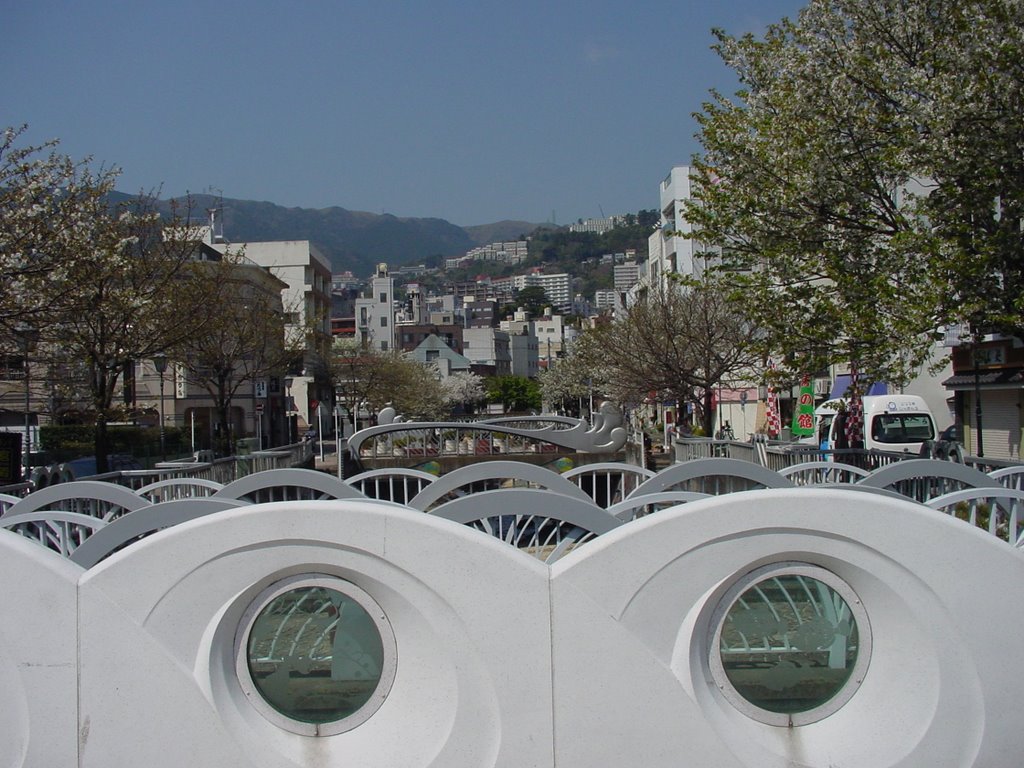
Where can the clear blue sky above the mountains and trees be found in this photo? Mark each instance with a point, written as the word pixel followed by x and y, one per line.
pixel 468 112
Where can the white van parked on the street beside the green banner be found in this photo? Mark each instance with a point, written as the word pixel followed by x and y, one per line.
pixel 895 423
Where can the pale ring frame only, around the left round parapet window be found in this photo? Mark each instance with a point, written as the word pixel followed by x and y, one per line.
pixel 390 664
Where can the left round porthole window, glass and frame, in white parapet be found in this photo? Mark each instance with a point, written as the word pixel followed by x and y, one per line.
pixel 316 655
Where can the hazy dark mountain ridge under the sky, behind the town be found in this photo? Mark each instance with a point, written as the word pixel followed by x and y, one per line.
pixel 354 241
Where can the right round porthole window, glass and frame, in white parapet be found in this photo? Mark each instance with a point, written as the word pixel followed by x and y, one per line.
pixel 791 646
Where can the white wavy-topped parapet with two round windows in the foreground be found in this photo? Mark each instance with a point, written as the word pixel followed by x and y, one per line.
pixel 763 629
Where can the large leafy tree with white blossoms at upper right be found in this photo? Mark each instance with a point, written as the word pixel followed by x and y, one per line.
pixel 849 184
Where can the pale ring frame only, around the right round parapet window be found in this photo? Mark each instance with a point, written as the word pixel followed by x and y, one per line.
pixel 841 697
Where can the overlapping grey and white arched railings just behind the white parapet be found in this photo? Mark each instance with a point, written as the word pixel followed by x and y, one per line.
pixel 64 518
